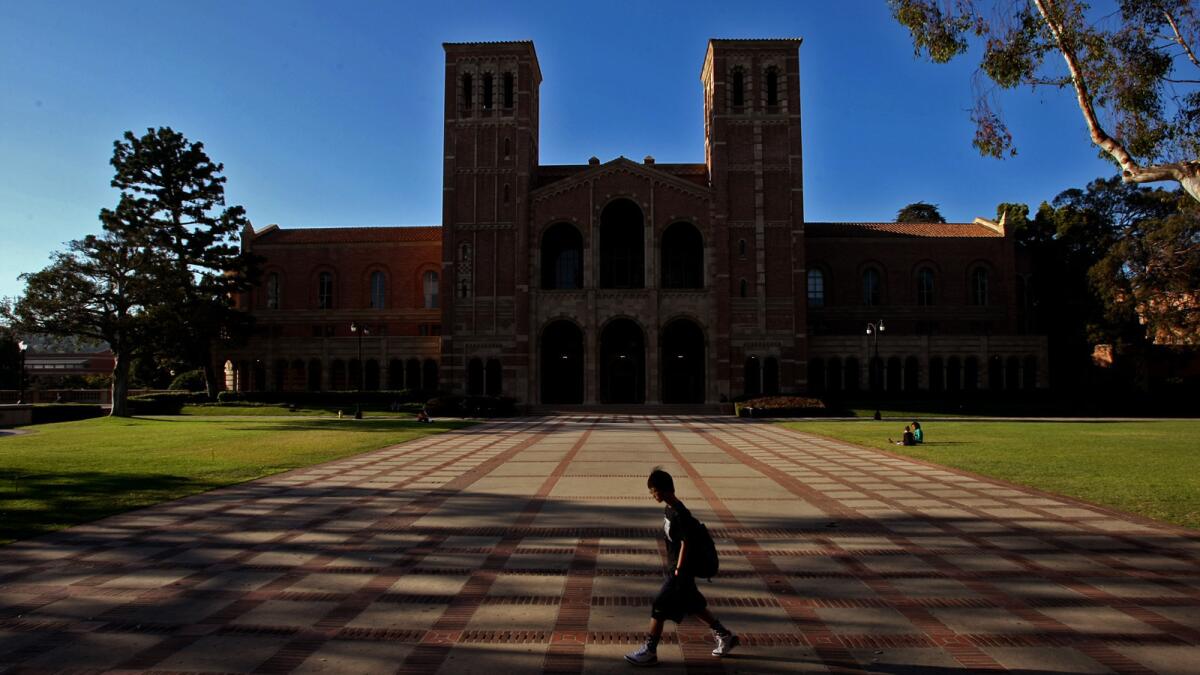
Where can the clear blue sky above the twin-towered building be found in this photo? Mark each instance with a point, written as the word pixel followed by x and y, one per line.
pixel 328 115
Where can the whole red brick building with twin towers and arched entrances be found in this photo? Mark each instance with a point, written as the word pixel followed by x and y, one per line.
pixel 629 282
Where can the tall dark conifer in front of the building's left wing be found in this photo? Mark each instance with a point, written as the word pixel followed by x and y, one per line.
pixel 175 195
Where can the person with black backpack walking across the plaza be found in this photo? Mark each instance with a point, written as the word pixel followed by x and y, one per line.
pixel 688 547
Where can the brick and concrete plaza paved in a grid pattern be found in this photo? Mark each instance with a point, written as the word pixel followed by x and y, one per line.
pixel 532 546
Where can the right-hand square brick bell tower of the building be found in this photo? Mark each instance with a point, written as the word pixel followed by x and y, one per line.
pixel 754 156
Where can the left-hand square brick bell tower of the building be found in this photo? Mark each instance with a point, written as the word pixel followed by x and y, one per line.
pixel 490 160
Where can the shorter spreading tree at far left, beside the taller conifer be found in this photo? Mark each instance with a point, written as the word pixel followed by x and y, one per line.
pixel 98 289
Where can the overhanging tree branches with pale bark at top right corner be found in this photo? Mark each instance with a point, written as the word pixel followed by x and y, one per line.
pixel 1133 74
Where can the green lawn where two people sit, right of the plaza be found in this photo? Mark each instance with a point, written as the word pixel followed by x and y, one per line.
pixel 1150 469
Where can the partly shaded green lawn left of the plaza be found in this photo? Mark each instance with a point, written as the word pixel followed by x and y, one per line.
pixel 62 475
